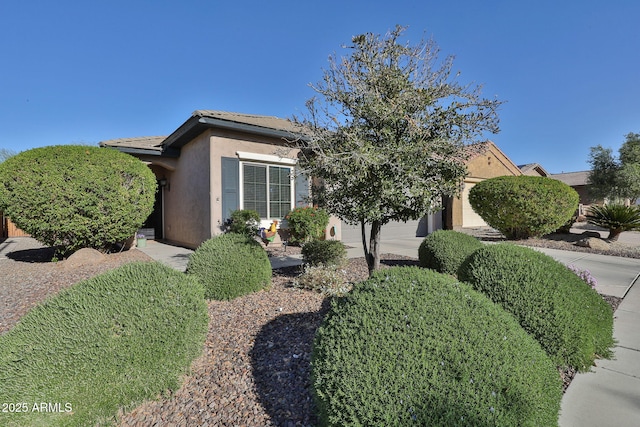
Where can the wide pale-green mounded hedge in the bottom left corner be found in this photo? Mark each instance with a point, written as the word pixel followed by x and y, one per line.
pixel 106 343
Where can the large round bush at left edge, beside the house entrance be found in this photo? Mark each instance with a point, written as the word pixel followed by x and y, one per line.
pixel 73 196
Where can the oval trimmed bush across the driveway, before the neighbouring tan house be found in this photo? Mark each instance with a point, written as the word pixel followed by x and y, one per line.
pixel 524 206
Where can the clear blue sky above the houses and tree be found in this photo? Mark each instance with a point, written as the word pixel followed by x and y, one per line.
pixel 87 71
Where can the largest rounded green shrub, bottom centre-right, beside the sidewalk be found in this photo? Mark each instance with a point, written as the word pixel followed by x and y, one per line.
pixel 411 346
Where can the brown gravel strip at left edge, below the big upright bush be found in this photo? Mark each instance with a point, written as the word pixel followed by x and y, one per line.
pixel 27 277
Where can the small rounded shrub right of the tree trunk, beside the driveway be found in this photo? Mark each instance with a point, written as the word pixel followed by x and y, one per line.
pixel 445 250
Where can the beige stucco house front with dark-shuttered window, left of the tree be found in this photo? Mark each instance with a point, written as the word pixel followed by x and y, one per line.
pixel 217 162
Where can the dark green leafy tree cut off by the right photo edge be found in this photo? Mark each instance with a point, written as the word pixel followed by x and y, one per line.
pixel 612 178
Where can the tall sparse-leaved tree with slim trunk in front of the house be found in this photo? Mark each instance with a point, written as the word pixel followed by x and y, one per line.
pixel 387 133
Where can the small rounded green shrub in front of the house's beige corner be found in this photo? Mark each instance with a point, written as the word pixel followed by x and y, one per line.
pixel 230 265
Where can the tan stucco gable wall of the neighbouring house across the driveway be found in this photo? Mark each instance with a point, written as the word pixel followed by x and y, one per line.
pixel 490 164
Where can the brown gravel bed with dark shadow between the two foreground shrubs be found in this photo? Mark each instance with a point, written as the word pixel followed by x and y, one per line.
pixel 256 365
